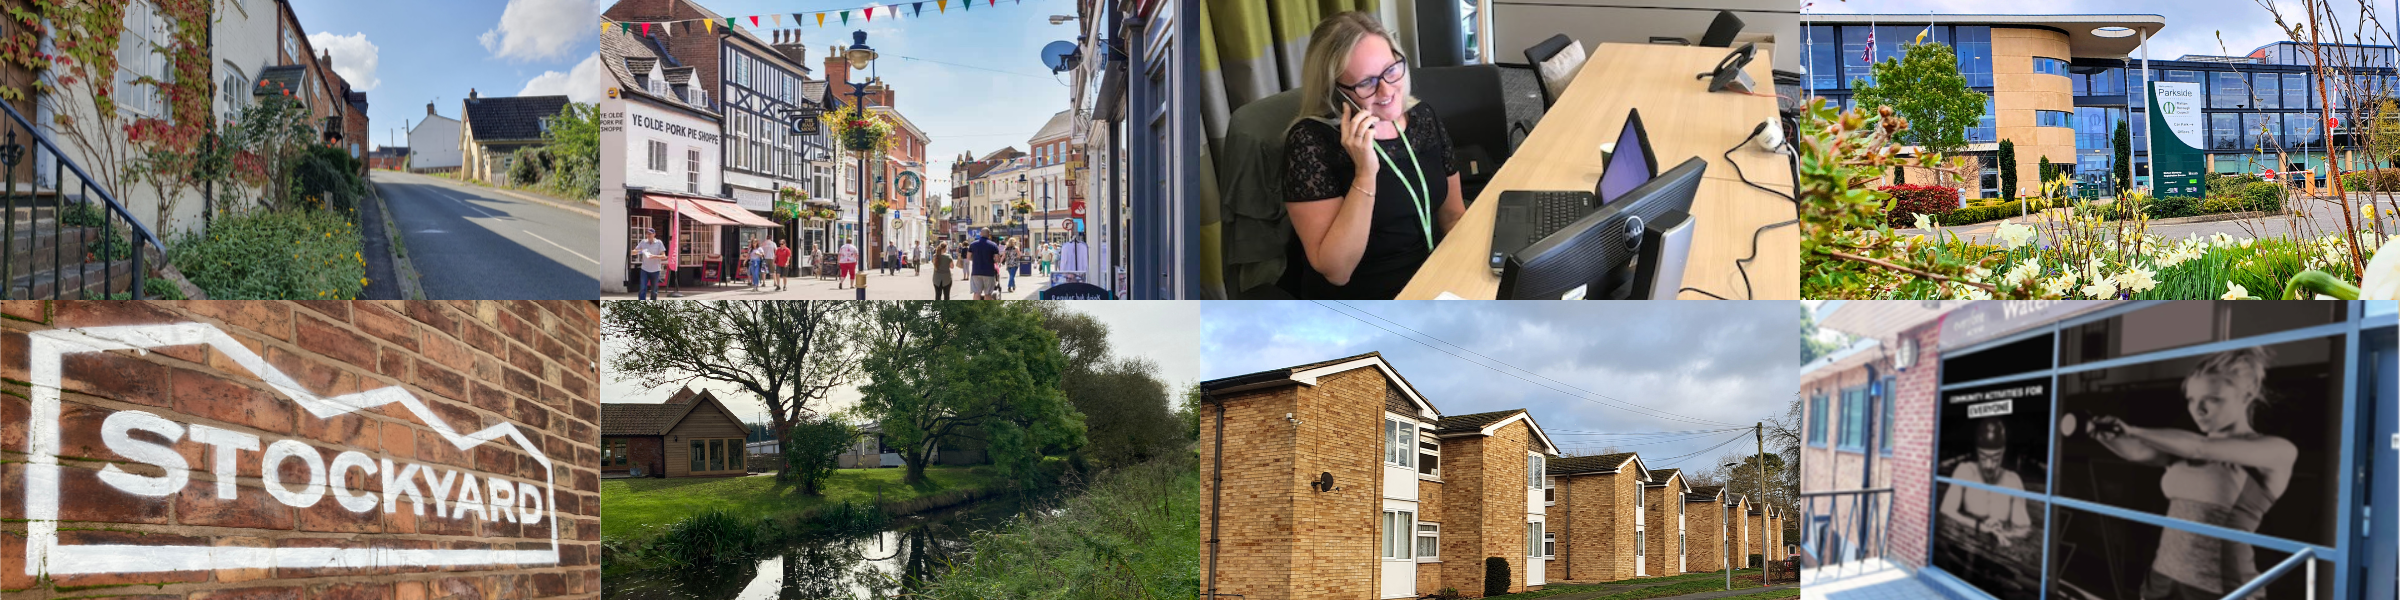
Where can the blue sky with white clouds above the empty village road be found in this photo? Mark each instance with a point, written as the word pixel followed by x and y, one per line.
pixel 436 52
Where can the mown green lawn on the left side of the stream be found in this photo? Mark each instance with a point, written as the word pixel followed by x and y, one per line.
pixel 630 505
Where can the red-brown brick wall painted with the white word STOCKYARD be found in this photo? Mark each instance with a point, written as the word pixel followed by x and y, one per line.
pixel 150 448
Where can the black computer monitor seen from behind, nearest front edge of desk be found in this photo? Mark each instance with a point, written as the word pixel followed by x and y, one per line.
pixel 1592 258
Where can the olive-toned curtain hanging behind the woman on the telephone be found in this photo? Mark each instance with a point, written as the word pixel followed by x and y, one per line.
pixel 1247 52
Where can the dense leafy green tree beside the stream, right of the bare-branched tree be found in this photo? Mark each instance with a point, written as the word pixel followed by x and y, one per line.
pixel 968 371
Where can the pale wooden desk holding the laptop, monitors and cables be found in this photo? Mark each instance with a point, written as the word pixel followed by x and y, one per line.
pixel 1684 121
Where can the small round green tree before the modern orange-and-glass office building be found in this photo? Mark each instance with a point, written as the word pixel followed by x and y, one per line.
pixel 1924 85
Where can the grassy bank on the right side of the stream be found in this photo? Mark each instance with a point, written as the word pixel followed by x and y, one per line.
pixel 1132 534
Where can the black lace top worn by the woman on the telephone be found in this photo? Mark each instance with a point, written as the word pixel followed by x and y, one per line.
pixel 1316 169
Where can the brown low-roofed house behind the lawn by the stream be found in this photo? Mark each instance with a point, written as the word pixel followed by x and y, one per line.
pixel 690 436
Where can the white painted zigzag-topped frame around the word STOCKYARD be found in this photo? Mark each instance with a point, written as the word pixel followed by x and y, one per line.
pixel 47 354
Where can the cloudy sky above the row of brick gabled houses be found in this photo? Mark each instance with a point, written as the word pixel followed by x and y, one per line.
pixel 1732 364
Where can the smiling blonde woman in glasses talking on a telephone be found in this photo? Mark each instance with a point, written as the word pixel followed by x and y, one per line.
pixel 1367 167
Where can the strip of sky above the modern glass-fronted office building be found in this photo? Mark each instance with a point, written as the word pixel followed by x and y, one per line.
pixel 2195 28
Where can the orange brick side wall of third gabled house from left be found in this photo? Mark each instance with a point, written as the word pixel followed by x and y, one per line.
pixel 1602 534
